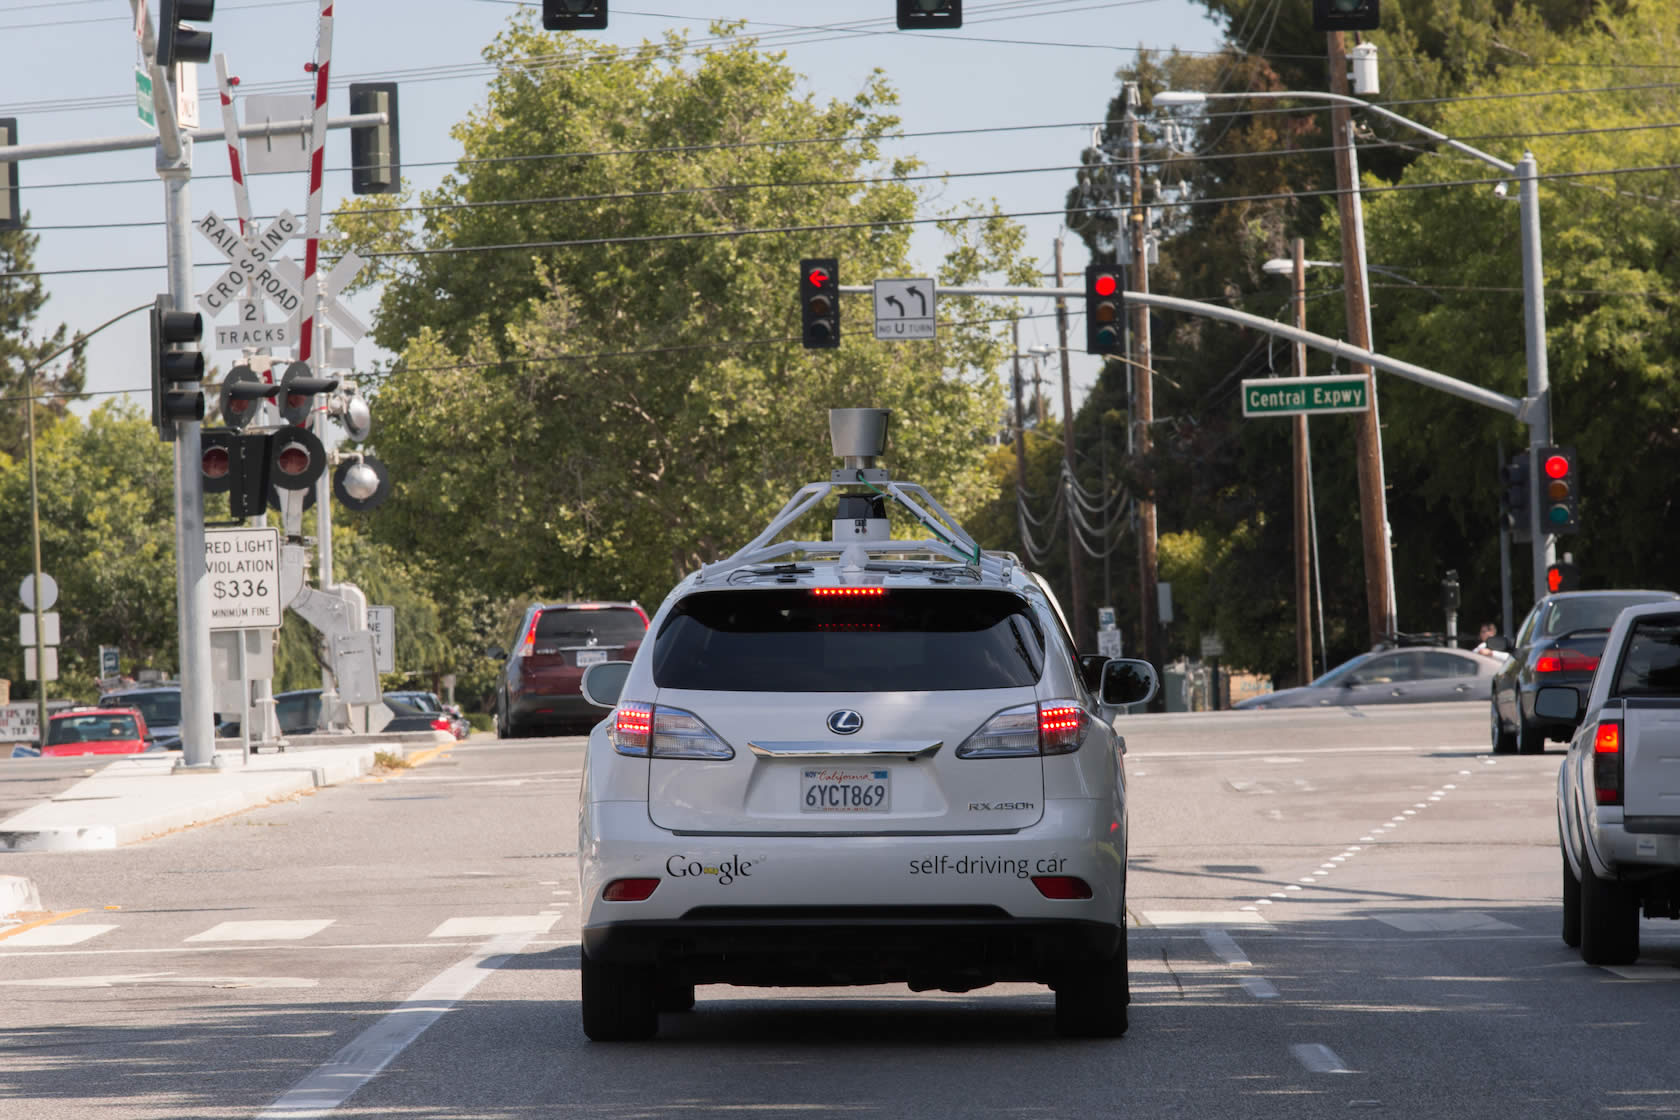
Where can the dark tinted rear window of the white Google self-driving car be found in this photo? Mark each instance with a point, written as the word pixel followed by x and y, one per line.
pixel 906 641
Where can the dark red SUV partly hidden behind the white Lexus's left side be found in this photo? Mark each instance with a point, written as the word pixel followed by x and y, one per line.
pixel 540 686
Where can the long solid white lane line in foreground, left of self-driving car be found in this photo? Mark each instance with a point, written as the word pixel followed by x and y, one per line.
pixel 370 1052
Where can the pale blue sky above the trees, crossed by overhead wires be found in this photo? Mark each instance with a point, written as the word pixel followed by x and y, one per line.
pixel 71 75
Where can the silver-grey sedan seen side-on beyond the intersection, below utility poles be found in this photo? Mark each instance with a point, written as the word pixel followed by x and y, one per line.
pixel 1407 676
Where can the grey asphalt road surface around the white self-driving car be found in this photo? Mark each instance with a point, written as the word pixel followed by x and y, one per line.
pixel 1333 914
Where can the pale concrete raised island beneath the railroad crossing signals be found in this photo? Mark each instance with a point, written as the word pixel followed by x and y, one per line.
pixel 140 797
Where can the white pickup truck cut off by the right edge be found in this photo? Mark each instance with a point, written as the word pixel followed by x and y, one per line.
pixel 1619 790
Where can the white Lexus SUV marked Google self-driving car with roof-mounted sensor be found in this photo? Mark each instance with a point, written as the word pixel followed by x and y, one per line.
pixel 856 761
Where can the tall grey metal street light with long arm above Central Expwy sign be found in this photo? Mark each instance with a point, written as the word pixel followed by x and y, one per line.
pixel 1526 172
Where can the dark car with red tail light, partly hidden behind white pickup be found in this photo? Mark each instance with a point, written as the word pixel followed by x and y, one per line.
pixel 1558 644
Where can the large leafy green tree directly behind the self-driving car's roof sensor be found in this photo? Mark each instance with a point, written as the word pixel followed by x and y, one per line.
pixel 626 397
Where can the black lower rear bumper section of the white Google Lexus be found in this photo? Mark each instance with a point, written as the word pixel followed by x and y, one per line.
pixel 953 948
